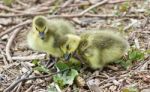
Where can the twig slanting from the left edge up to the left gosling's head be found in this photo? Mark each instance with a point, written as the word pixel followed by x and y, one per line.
pixel 14 27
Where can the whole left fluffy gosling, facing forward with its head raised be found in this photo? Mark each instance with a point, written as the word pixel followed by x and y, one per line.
pixel 46 35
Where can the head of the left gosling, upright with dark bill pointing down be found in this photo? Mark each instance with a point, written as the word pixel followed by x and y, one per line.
pixel 40 26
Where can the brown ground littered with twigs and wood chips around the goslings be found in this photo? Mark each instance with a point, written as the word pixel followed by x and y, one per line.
pixel 129 17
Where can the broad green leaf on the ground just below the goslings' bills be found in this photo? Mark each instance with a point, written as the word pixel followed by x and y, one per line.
pixel 67 77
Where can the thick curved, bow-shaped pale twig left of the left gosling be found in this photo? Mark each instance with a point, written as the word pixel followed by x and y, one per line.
pixel 9 43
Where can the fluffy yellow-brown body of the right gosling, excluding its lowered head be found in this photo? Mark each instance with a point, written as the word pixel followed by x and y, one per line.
pixel 98 48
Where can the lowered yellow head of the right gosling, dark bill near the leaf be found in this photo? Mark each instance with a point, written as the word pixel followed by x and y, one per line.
pixel 70 45
